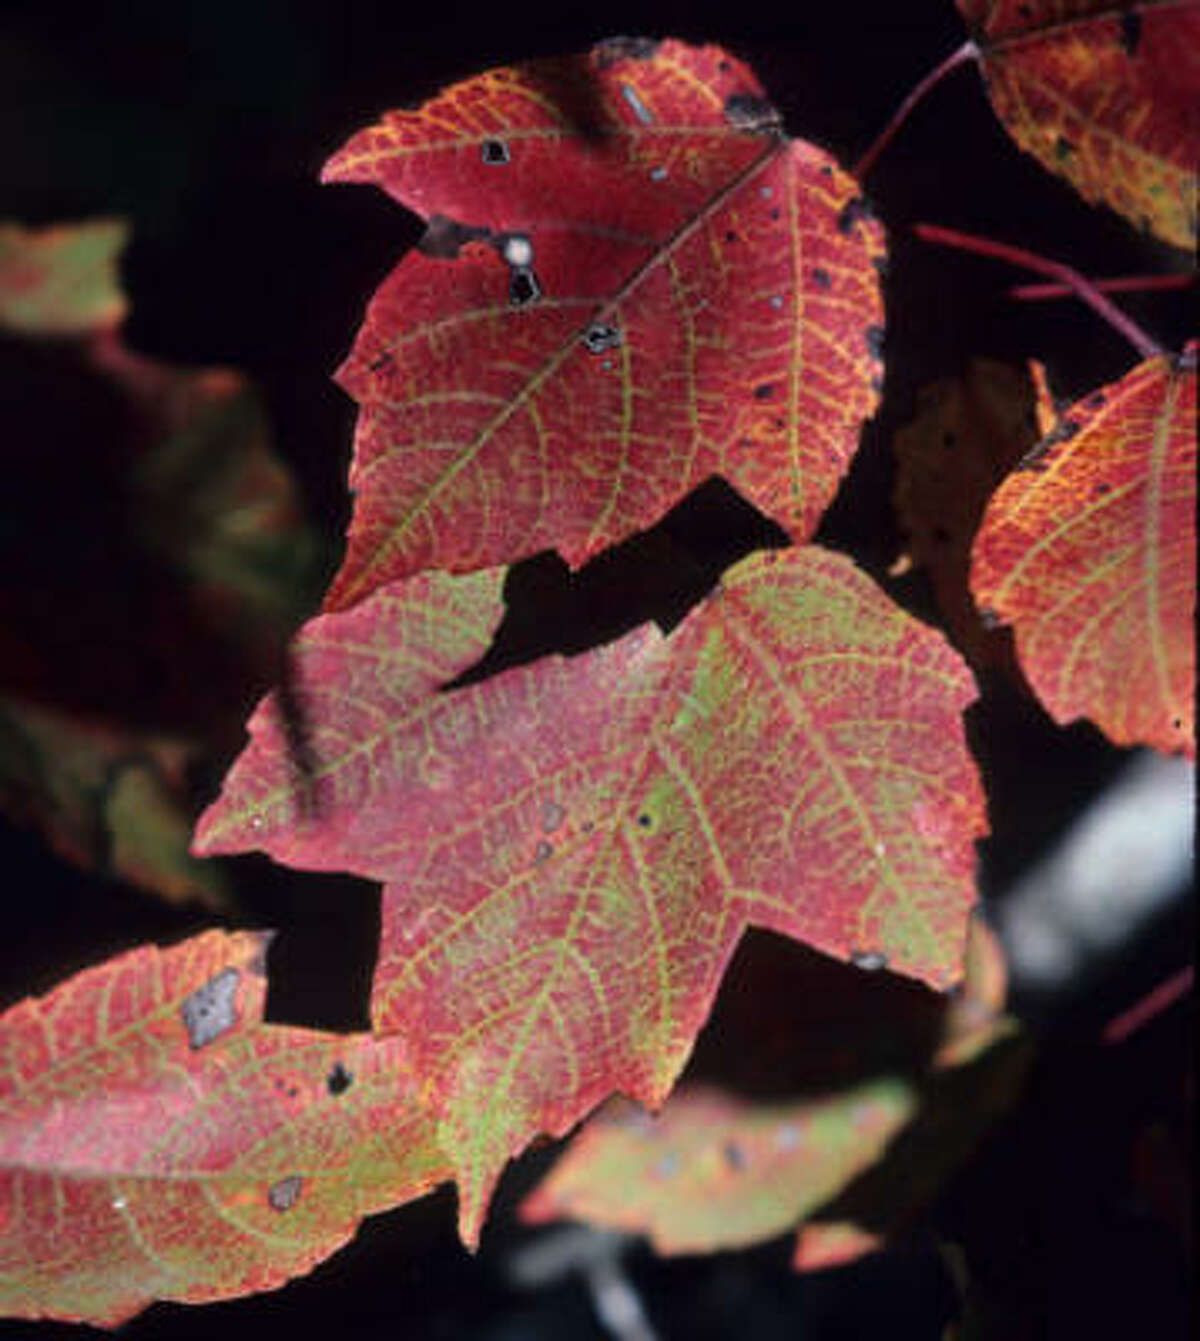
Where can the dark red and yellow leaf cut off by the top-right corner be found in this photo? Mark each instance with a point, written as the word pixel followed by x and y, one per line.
pixel 1107 99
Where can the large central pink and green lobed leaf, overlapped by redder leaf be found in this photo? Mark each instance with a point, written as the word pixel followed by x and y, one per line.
pixel 575 848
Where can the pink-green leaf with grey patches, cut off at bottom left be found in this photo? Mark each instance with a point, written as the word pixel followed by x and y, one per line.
pixel 160 1142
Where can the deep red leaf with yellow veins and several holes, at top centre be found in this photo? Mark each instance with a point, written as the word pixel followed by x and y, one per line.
pixel 631 282
